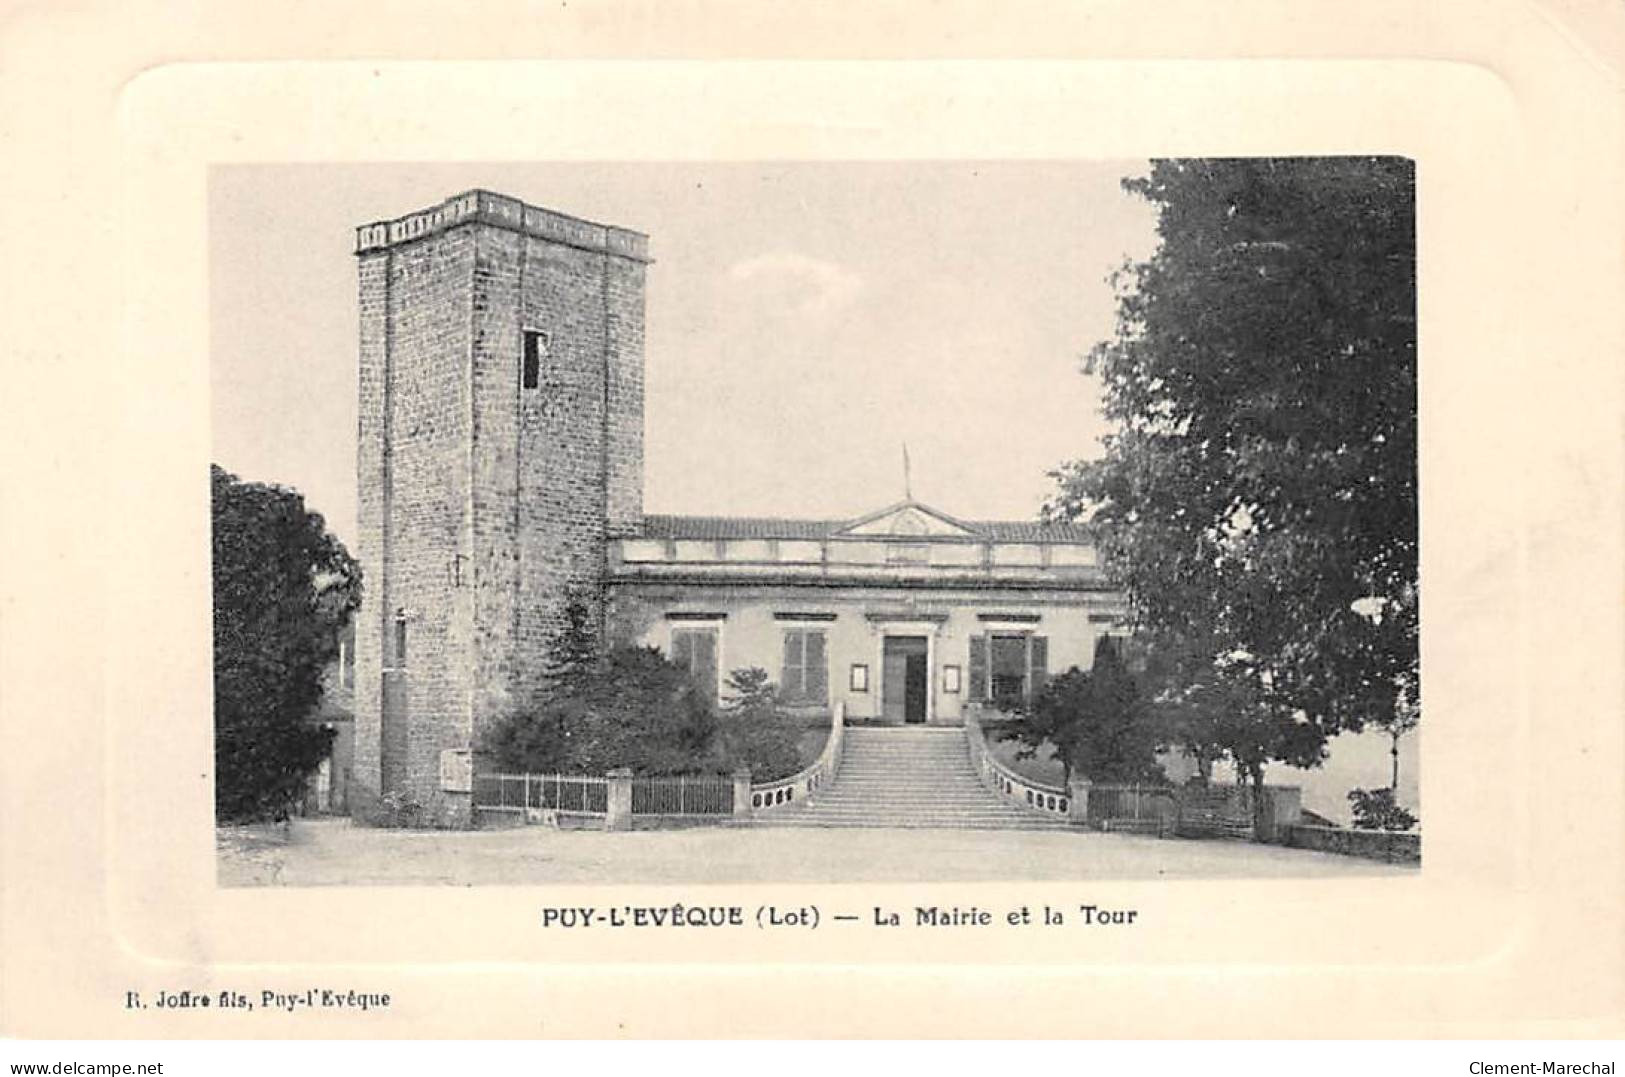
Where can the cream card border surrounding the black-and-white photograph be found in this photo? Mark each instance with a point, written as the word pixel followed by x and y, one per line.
pixel 1512 927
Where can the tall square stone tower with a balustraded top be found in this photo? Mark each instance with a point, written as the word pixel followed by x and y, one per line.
pixel 500 446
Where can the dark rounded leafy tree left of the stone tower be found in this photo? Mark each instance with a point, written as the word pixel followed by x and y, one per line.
pixel 285 589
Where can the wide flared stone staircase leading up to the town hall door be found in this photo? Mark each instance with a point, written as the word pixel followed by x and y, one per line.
pixel 908 777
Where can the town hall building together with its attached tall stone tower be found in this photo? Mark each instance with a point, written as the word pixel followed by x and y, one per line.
pixel 501 478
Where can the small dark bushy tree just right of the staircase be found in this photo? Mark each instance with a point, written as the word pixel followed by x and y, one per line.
pixel 1096 722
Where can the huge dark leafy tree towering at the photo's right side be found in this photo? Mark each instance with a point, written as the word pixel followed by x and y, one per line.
pixel 1259 501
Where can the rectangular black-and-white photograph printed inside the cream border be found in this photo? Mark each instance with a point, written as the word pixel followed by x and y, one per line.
pixel 821 522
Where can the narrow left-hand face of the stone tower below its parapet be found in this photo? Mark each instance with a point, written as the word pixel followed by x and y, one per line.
pixel 414 485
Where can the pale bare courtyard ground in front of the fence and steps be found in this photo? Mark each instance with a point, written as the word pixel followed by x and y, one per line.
pixel 332 852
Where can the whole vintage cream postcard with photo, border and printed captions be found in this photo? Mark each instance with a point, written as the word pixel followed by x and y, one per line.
pixel 869 548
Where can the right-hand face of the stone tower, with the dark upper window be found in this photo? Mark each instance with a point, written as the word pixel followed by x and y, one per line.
pixel 558 469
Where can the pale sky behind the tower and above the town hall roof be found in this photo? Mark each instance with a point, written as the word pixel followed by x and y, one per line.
pixel 804 322
